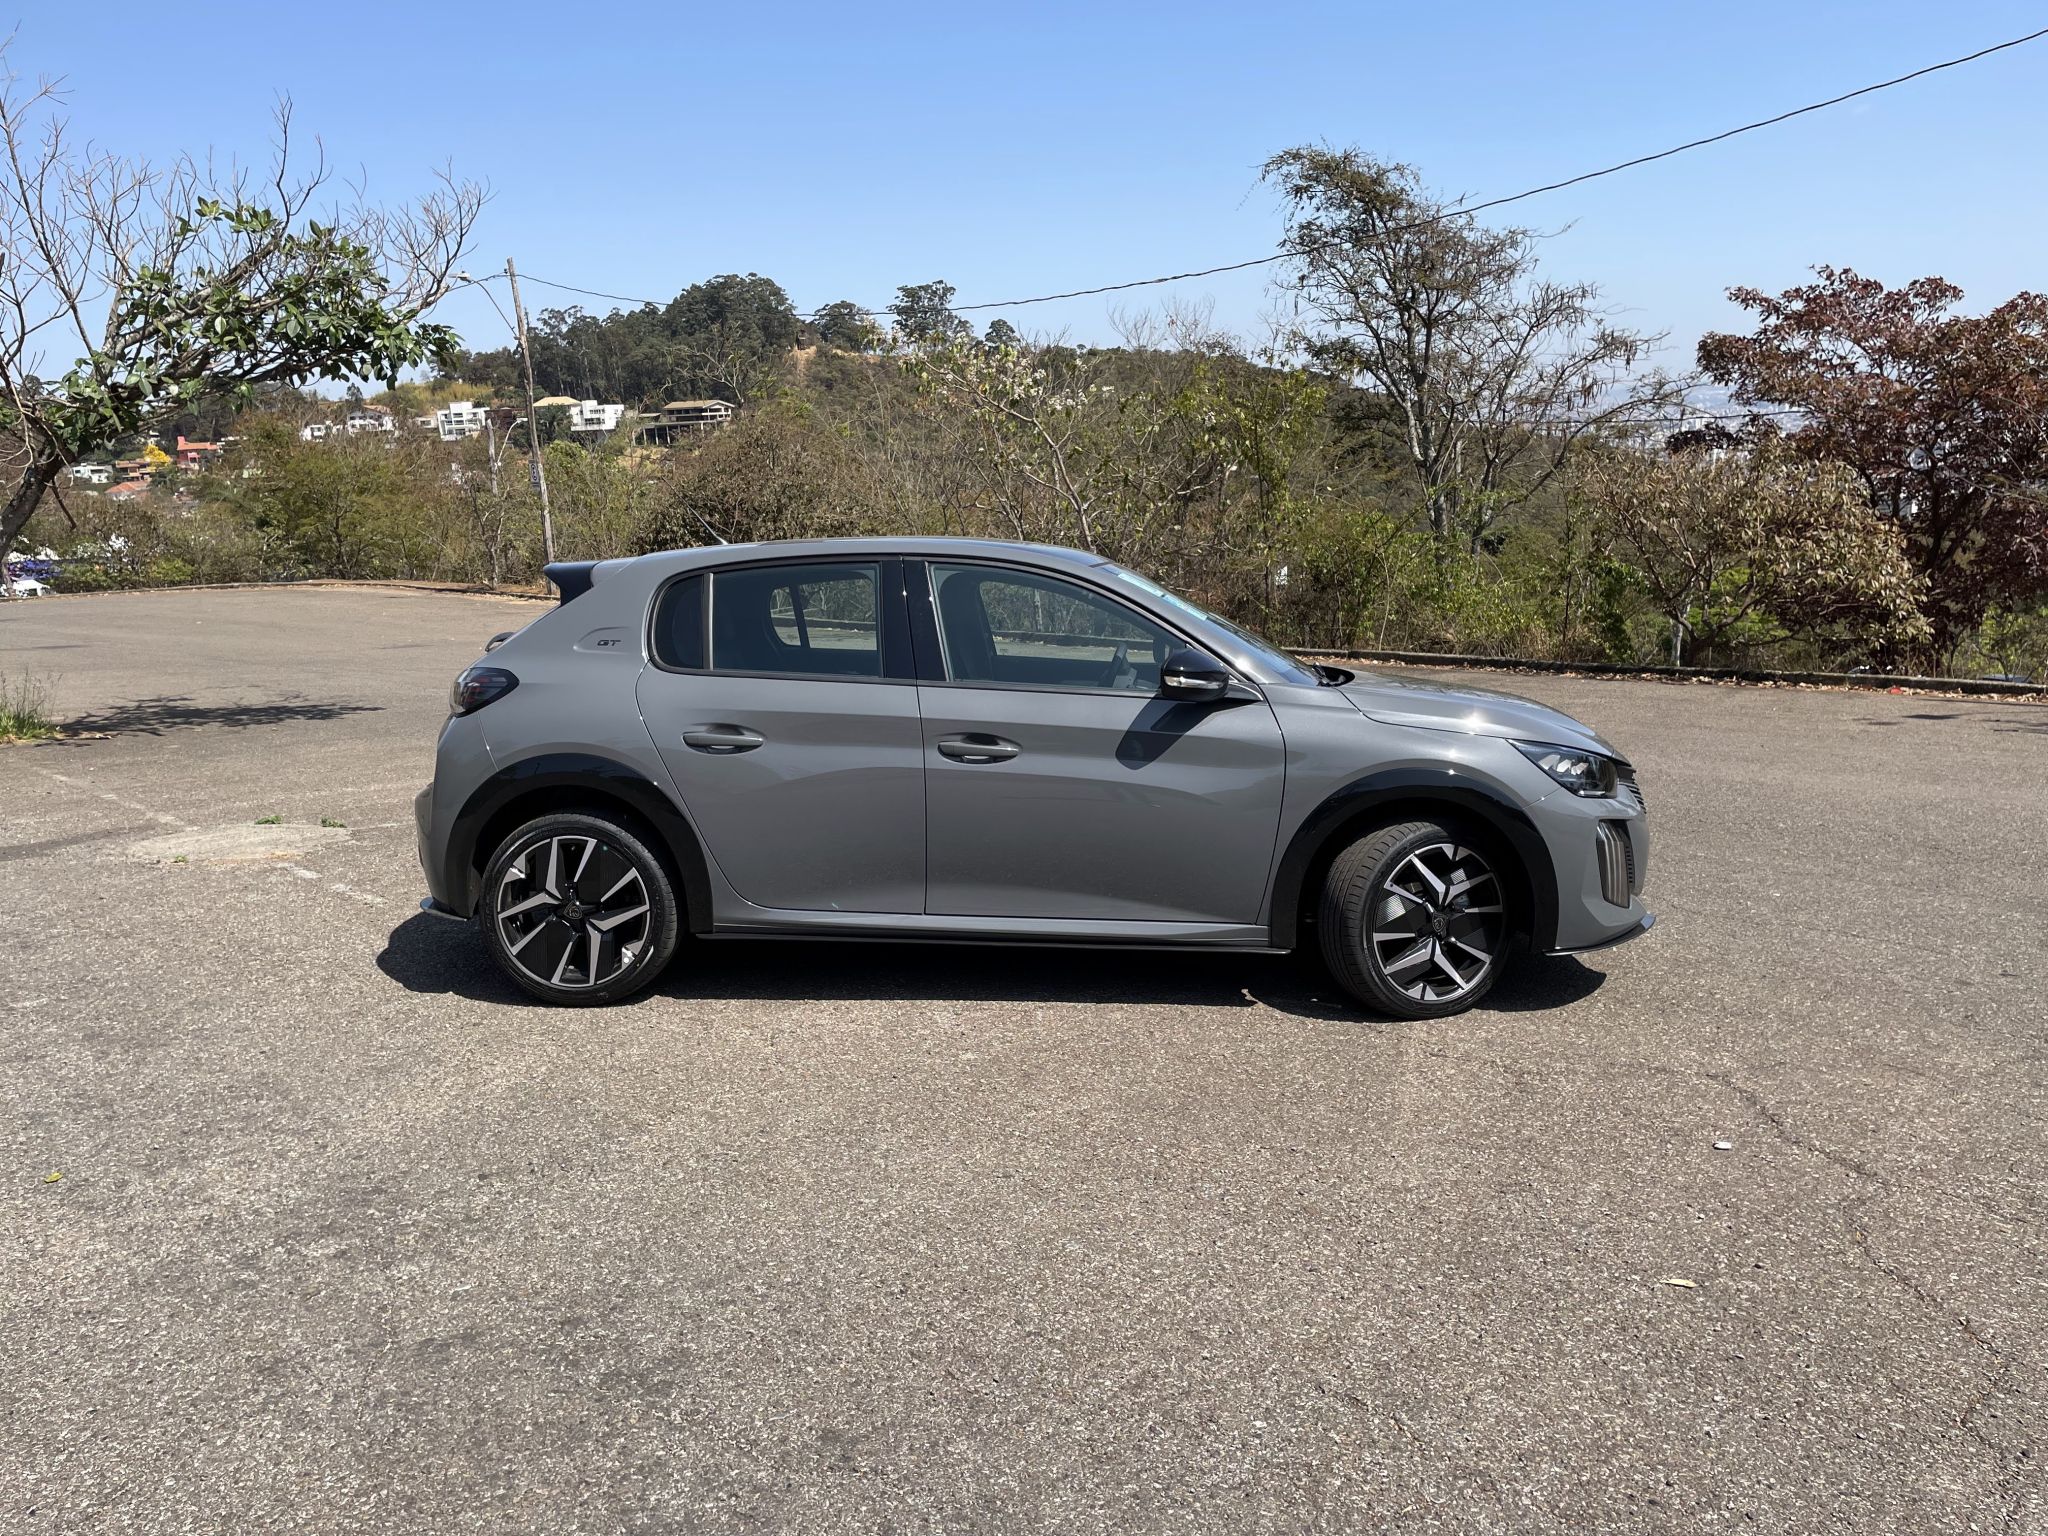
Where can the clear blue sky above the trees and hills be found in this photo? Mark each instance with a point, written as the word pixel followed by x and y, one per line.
pixel 1017 151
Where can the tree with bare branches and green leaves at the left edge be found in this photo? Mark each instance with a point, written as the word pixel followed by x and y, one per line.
pixel 212 284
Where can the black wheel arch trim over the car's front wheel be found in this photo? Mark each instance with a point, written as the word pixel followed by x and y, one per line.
pixel 1414 790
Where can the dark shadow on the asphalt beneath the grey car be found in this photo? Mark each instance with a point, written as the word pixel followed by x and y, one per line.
pixel 433 955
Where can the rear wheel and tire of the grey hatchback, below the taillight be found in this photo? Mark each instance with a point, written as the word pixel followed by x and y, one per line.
pixel 579 910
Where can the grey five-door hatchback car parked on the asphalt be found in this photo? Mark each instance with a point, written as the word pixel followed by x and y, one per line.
pixel 988 742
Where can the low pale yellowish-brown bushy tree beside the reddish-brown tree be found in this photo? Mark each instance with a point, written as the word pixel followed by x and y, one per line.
pixel 1752 546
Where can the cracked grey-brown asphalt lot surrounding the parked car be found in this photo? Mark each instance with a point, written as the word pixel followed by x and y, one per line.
pixel 314 1226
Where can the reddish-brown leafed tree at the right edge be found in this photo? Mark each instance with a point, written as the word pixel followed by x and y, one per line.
pixel 1943 417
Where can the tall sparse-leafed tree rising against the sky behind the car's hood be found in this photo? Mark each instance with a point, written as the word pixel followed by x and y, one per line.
pixel 1490 374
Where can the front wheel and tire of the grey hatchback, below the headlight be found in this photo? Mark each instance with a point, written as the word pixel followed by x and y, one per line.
pixel 1414 919
